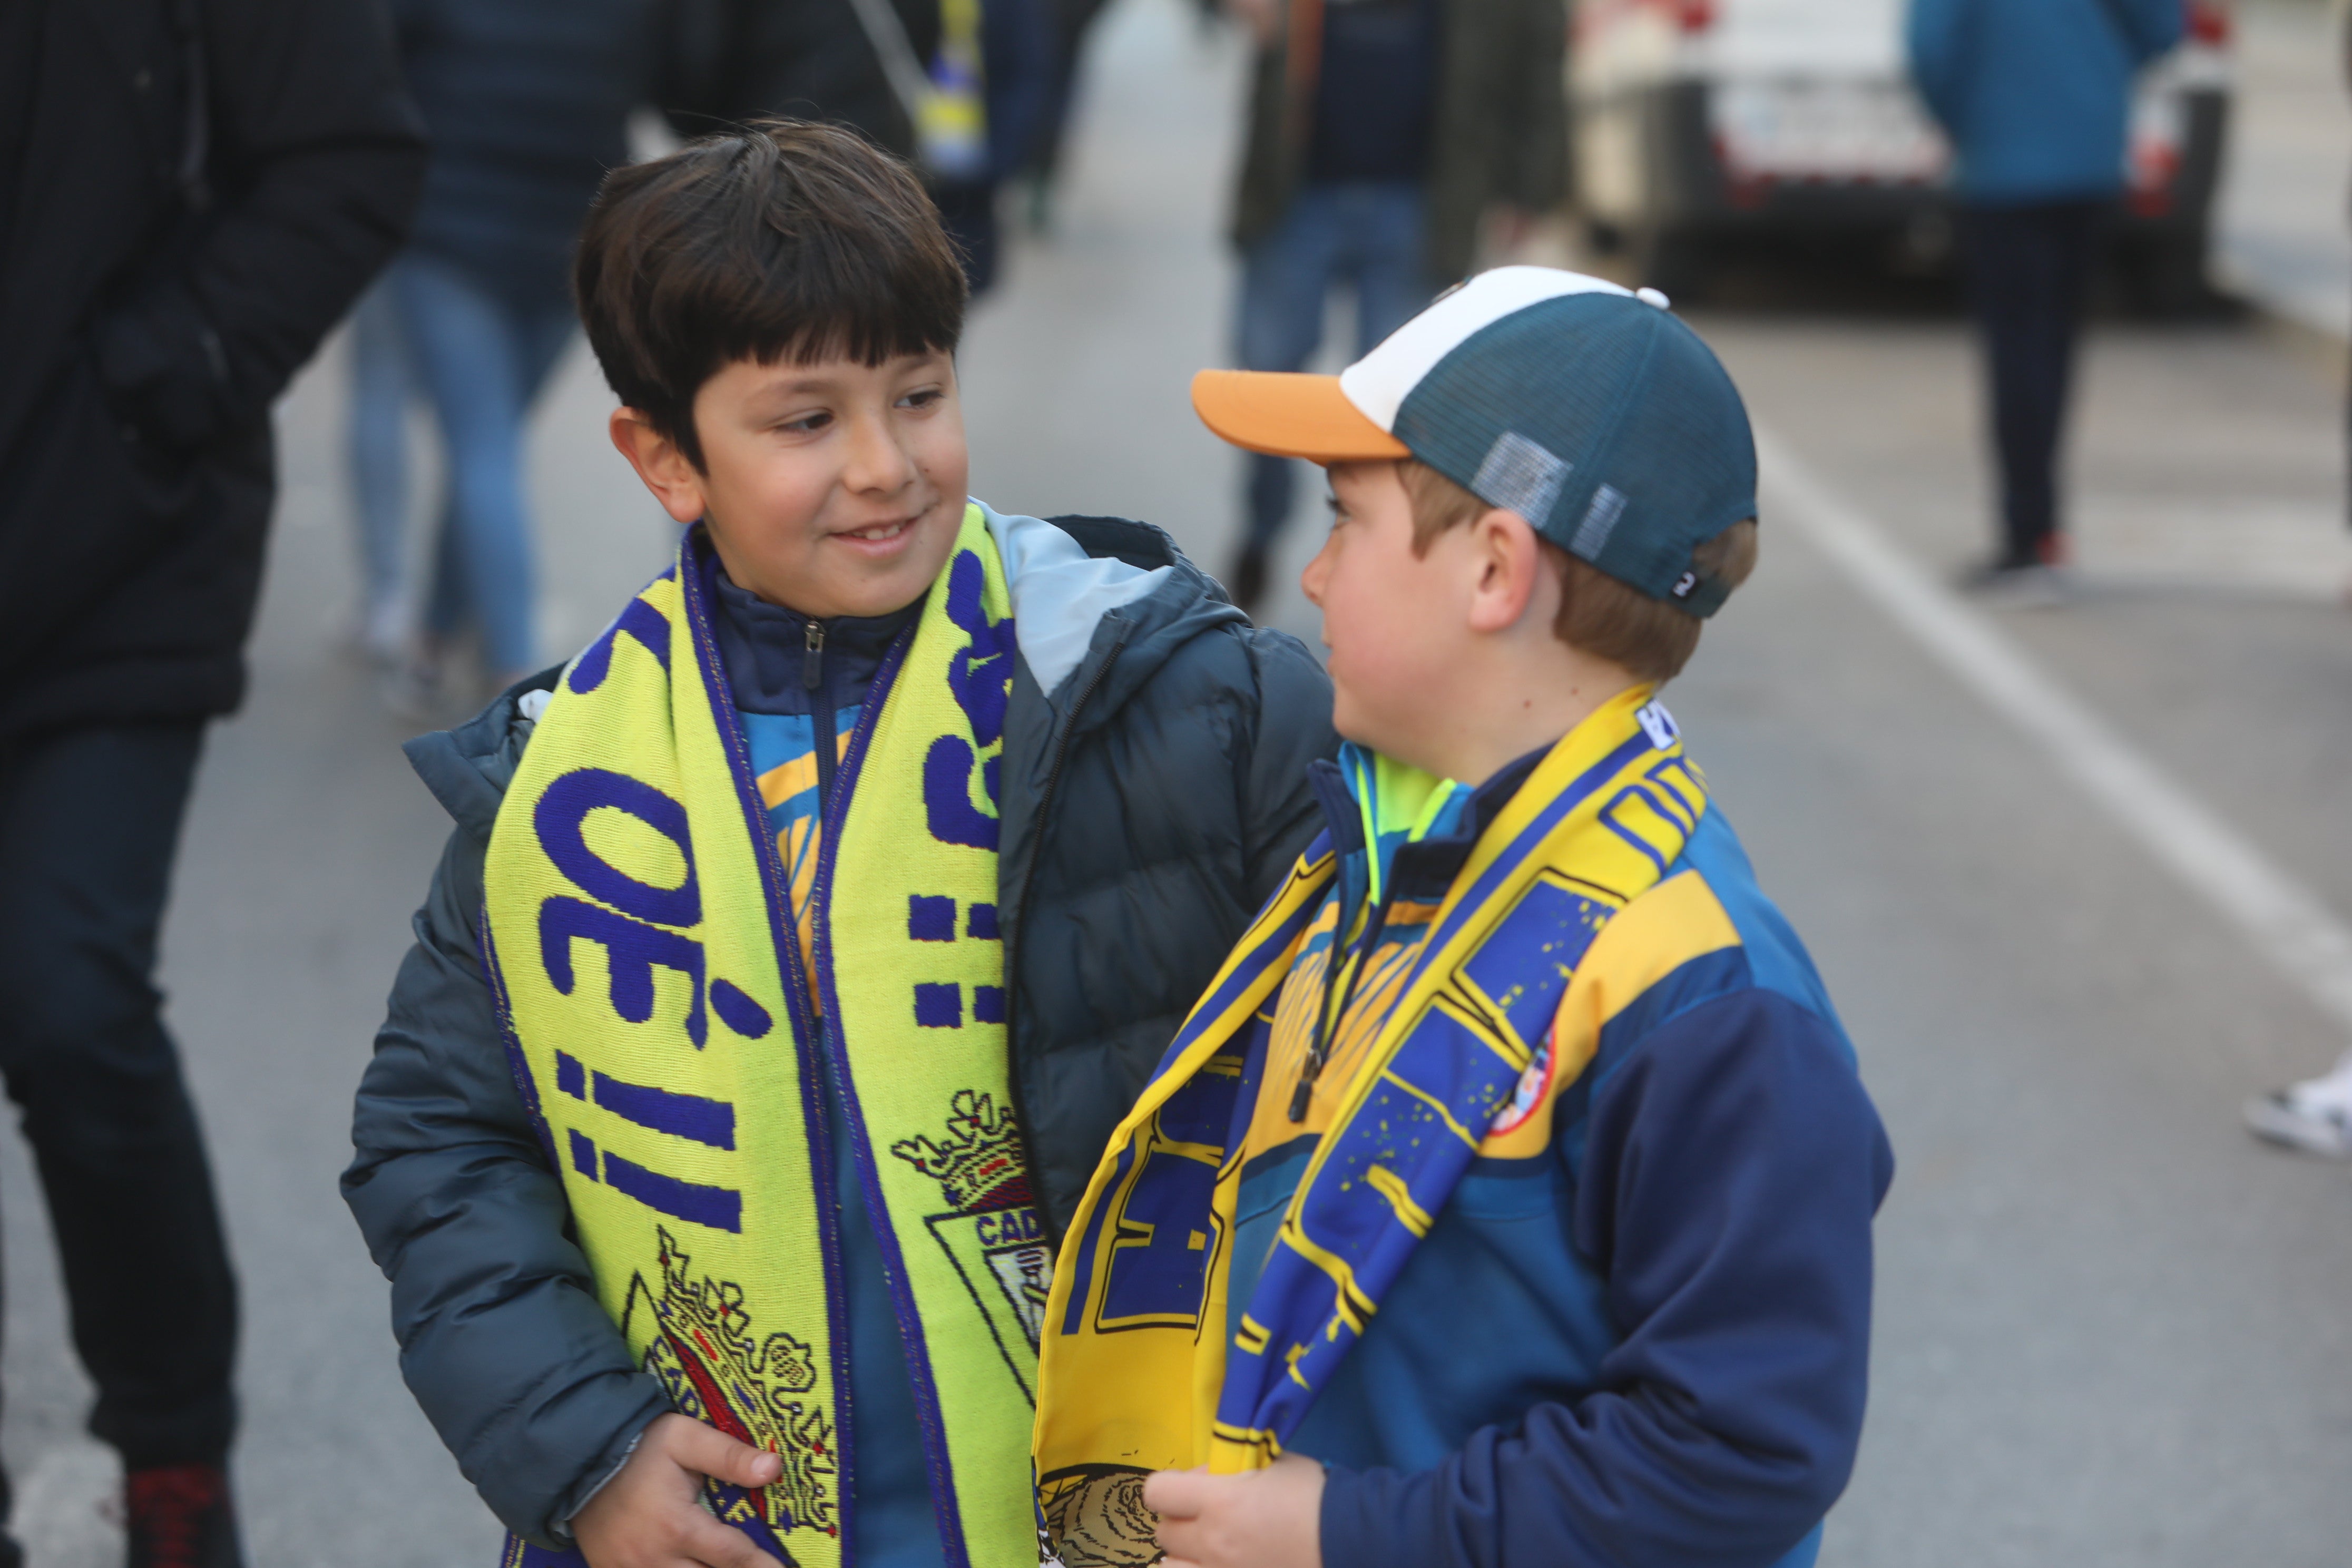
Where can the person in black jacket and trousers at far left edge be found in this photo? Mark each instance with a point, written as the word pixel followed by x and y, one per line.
pixel 192 194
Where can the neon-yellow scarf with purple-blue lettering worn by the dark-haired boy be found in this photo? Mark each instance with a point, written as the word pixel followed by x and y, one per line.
pixel 664 1036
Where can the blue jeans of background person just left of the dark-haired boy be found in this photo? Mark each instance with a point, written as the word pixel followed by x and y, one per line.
pixel 481 359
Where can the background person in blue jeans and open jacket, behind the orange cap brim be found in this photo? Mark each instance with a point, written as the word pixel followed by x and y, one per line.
pixel 1379 138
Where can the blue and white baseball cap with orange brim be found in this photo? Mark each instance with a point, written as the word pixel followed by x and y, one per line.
pixel 1586 408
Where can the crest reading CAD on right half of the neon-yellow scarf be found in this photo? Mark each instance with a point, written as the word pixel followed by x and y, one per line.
pixel 991 1228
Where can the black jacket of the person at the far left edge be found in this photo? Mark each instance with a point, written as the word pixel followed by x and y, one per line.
pixel 199 194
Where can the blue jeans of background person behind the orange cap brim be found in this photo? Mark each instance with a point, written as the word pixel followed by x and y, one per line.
pixel 1368 236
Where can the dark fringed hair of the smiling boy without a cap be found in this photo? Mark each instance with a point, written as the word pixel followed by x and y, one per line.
pixel 782 241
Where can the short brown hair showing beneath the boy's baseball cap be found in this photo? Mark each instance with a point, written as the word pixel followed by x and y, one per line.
pixel 1598 615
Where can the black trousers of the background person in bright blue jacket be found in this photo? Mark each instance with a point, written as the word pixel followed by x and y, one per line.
pixel 2029 274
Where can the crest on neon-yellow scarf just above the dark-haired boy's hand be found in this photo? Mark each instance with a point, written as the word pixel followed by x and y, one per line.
pixel 754 1388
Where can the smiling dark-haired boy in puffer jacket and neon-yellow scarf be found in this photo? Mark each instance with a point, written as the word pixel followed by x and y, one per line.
pixel 806 937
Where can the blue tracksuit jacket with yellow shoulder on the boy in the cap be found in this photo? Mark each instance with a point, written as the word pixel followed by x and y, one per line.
pixel 1648 1343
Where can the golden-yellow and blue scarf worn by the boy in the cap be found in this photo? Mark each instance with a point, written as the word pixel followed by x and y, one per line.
pixel 1137 1372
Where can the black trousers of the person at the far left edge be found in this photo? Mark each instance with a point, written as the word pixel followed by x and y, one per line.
pixel 88 831
